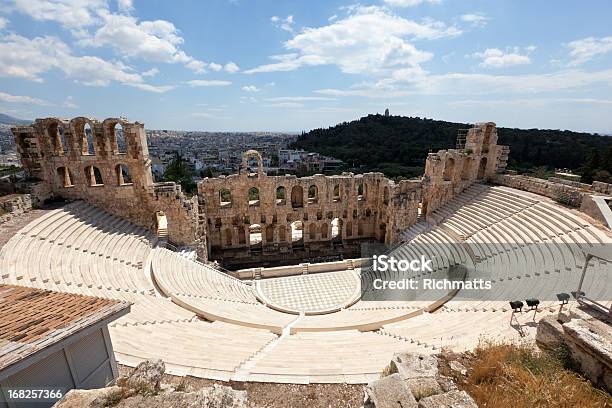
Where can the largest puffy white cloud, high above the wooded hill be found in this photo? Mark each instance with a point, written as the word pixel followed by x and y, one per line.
pixel 369 40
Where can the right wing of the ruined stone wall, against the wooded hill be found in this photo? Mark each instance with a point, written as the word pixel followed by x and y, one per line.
pixel 449 172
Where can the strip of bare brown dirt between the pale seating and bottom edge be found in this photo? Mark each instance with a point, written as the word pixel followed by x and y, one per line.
pixel 273 395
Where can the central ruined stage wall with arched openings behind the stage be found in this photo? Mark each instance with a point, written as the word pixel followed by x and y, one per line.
pixel 366 207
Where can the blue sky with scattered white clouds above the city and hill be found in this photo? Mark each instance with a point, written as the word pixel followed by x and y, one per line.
pixel 297 65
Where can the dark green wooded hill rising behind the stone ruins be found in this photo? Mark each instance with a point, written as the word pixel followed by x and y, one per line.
pixel 398 146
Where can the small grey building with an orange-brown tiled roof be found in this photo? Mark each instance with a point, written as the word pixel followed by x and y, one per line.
pixel 52 342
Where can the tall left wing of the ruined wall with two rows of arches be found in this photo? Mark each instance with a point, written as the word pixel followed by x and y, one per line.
pixel 105 167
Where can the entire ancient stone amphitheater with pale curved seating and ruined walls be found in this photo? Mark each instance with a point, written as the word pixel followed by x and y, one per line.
pixel 302 322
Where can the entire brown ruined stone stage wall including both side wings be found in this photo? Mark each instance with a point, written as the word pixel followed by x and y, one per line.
pixel 106 163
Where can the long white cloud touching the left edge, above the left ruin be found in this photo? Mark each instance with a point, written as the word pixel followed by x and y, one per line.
pixel 17 54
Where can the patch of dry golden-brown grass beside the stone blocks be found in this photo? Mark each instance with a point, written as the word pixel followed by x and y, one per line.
pixel 518 375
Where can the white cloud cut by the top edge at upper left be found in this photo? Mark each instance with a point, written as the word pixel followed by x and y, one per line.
pixel 72 14
